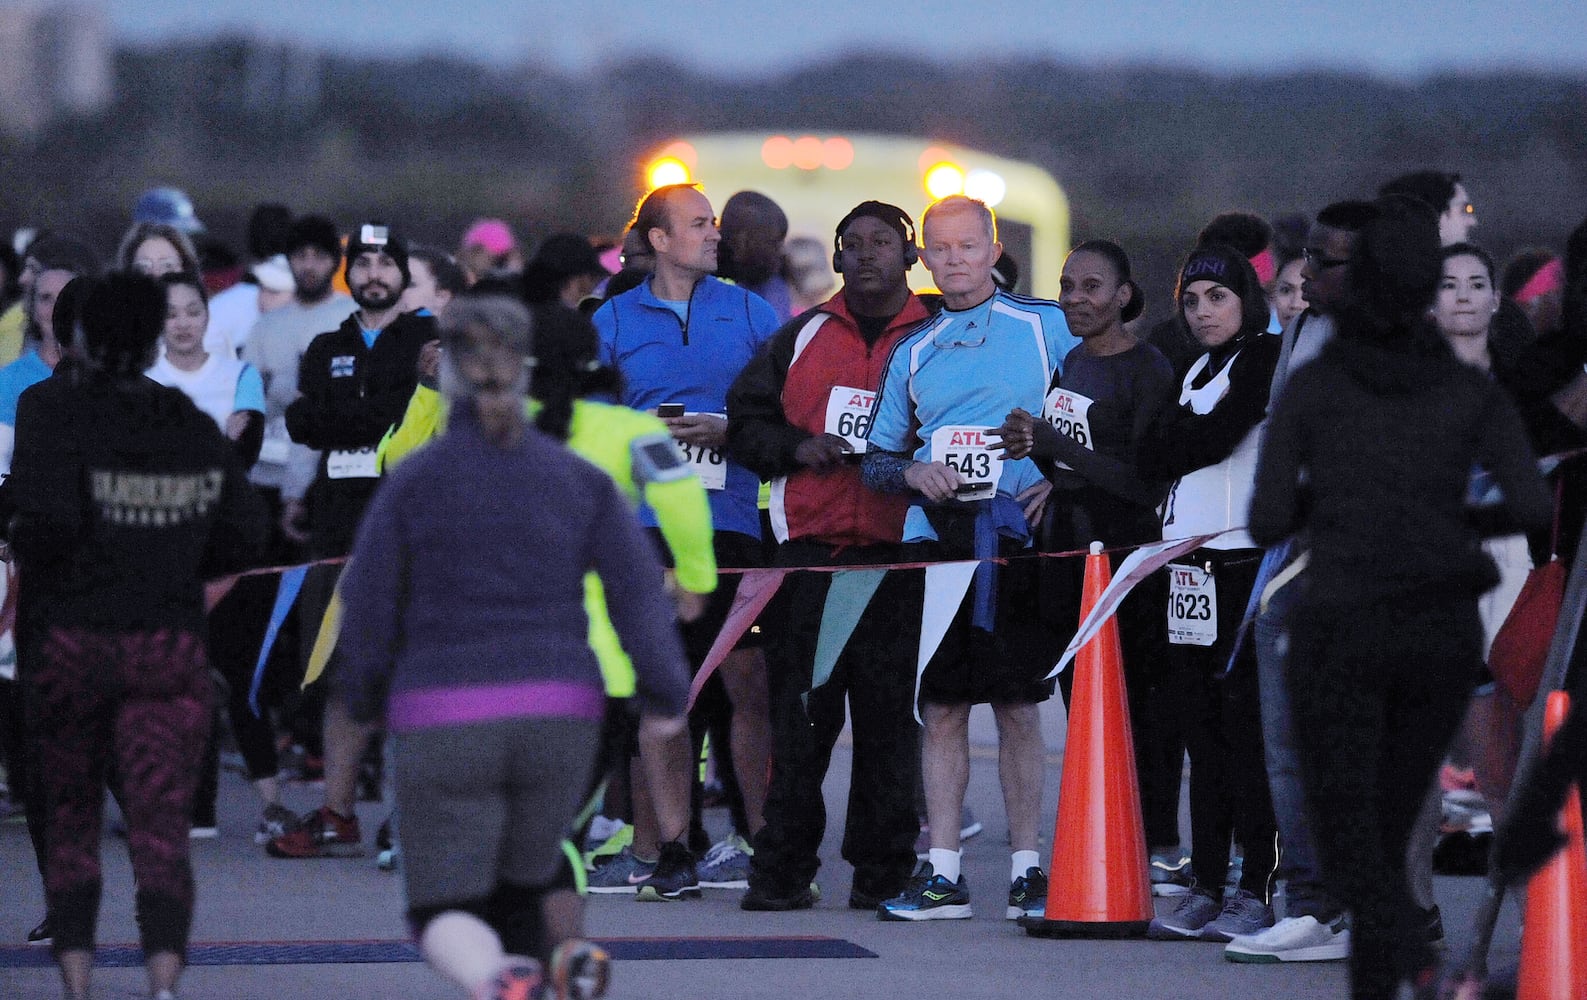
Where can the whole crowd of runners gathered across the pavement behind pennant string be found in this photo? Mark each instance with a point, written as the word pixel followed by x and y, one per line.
pixel 507 501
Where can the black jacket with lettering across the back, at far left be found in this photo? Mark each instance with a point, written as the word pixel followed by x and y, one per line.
pixel 126 498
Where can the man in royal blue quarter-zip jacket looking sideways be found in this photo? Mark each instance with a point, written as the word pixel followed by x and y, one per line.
pixel 680 340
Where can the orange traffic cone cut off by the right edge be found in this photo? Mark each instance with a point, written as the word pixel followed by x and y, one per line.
pixel 1554 942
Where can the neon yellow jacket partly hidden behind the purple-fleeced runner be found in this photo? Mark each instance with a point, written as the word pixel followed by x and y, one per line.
pixel 607 437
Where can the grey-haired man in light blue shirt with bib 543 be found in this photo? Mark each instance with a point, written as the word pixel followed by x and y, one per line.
pixel 947 388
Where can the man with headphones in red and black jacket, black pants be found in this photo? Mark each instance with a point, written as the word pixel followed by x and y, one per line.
pixel 799 417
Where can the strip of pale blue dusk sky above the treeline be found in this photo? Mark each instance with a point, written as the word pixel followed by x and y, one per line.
pixel 747 39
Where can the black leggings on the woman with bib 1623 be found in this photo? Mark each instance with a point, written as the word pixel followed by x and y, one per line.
pixel 1223 731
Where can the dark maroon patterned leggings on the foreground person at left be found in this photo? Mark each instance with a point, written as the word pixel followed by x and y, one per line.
pixel 139 701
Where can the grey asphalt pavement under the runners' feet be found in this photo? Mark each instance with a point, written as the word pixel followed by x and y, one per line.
pixel 252 899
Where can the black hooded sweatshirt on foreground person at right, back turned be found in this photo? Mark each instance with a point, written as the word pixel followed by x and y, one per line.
pixel 1386 434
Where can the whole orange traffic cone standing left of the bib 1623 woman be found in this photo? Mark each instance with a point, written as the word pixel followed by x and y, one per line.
pixel 1097 883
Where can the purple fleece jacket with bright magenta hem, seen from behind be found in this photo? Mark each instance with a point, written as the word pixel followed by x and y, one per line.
pixel 464 601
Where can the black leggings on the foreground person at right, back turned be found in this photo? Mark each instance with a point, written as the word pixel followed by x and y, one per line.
pixel 1378 693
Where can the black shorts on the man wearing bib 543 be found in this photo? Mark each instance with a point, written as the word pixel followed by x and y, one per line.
pixel 1002 667
